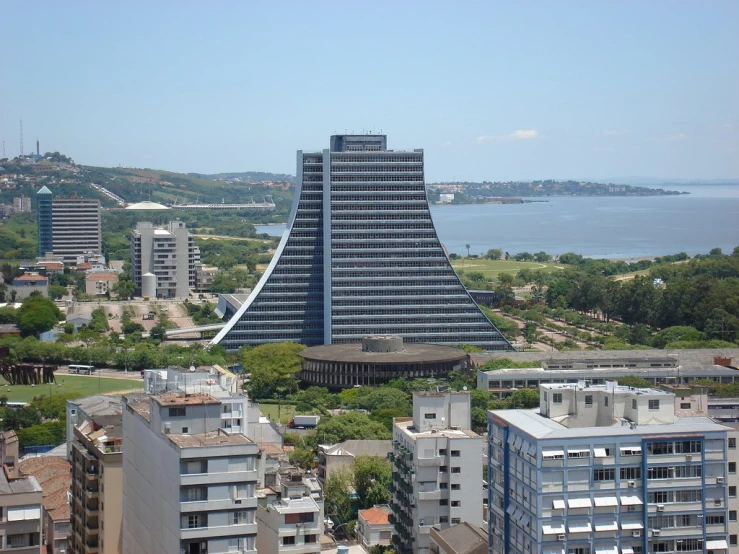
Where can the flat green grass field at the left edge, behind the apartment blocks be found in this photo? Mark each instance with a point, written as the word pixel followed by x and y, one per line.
pixel 66 384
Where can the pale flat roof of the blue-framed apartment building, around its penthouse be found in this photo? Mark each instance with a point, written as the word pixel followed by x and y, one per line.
pixel 537 426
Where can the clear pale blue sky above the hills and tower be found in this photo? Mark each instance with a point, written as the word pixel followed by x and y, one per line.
pixel 490 90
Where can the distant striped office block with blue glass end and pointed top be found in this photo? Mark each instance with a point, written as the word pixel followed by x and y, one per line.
pixel 68 227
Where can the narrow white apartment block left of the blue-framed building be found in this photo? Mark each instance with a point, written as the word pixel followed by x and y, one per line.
pixel 437 469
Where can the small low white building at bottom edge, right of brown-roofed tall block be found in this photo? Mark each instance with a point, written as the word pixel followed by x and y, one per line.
pixel 290 525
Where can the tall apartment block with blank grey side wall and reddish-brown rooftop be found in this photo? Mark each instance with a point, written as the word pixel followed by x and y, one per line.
pixel 189 485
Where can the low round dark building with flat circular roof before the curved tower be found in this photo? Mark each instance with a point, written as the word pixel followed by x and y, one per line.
pixel 377 360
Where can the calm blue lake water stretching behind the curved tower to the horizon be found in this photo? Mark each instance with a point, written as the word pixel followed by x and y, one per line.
pixel 617 227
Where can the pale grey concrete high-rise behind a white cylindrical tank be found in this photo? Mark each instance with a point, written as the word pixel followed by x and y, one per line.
pixel 168 253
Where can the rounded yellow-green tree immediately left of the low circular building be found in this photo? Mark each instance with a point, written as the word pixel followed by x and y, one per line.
pixel 273 368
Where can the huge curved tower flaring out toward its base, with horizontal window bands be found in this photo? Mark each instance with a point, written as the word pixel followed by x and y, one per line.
pixel 360 257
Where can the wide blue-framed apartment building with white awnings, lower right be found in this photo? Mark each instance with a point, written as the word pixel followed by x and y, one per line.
pixel 606 468
